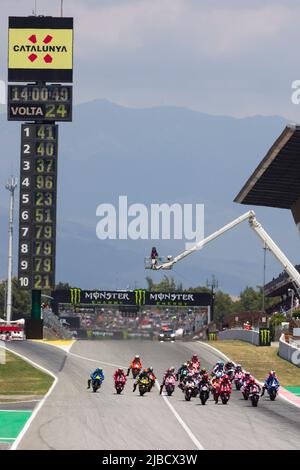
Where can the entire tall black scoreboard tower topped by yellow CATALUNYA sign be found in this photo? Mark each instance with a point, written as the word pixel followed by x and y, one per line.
pixel 40 51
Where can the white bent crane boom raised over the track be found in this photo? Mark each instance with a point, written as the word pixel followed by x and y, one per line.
pixel 262 234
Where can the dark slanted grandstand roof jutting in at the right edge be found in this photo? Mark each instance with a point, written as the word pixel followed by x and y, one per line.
pixel 275 182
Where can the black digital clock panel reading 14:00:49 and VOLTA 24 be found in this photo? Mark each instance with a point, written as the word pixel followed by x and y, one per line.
pixel 39 103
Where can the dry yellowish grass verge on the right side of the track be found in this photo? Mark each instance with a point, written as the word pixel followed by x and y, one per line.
pixel 259 360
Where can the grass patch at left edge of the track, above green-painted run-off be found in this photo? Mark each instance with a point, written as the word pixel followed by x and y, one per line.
pixel 18 377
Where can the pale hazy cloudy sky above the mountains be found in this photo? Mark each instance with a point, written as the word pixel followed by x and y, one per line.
pixel 232 57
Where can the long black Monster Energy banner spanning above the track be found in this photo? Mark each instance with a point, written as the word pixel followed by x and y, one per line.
pixel 137 297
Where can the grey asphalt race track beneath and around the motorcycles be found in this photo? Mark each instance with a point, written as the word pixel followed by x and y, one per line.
pixel 76 418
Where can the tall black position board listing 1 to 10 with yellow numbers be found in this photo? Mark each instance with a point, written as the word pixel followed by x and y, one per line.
pixel 37 227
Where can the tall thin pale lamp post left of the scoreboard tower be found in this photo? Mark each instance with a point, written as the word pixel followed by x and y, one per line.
pixel 10 186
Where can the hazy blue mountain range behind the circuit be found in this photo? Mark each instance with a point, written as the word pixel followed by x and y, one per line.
pixel 154 155
